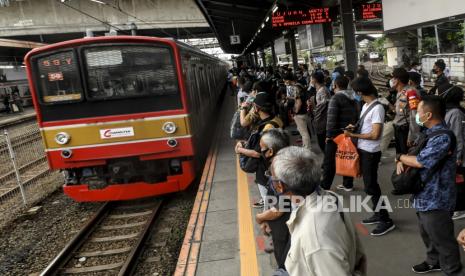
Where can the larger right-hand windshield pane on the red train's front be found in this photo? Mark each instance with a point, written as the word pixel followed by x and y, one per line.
pixel 124 71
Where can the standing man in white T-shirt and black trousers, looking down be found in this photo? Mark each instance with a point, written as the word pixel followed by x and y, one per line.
pixel 368 136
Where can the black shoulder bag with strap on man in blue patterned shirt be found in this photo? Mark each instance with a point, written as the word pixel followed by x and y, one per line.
pixel 409 181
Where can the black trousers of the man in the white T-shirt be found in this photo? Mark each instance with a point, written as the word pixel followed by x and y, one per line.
pixel 369 162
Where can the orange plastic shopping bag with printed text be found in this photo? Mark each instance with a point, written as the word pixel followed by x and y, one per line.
pixel 347 158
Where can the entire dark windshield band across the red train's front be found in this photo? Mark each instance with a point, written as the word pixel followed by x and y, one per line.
pixel 102 80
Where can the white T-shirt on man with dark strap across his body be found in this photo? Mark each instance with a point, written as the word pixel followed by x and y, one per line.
pixel 375 116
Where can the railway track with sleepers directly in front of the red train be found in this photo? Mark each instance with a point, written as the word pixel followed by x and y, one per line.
pixel 110 242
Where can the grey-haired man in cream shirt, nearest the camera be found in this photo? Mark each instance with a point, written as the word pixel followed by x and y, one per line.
pixel 323 240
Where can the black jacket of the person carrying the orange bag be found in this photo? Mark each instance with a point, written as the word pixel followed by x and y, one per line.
pixel 342 111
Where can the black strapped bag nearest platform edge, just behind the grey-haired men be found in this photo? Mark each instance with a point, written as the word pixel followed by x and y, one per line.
pixel 250 164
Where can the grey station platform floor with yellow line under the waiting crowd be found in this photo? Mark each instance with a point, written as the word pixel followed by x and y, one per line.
pixel 223 239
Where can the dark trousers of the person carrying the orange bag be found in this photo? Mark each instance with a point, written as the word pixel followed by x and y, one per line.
pixel 329 168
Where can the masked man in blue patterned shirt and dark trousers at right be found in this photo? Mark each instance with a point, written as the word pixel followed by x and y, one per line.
pixel 436 202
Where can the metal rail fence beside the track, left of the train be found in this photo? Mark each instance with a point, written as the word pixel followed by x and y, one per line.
pixel 32 167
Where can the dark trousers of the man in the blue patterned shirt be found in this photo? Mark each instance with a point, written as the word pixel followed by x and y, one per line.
pixel 437 232
